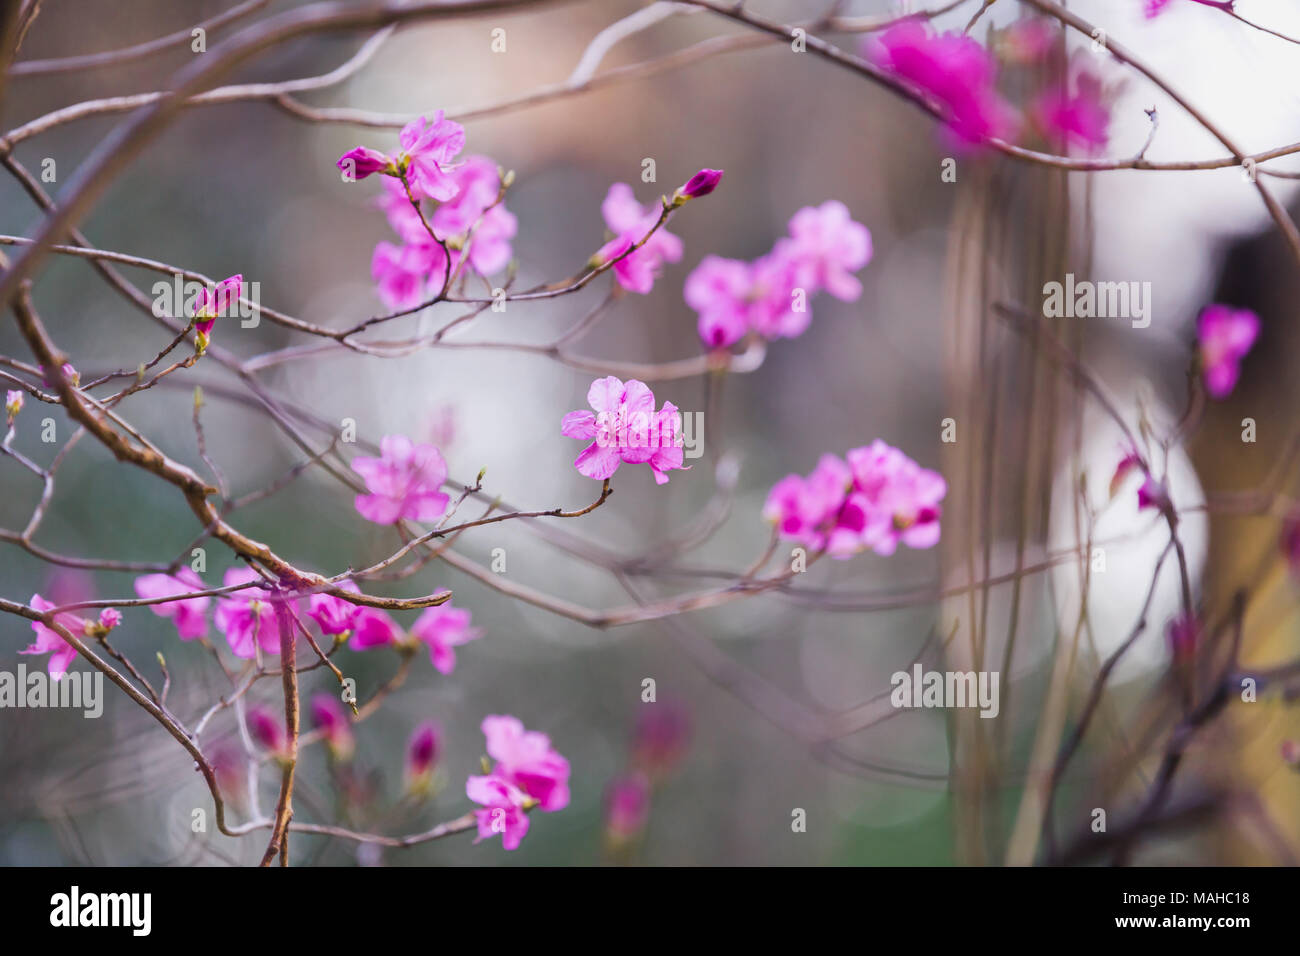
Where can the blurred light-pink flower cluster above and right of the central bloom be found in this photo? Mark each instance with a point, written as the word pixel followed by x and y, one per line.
pixel 769 296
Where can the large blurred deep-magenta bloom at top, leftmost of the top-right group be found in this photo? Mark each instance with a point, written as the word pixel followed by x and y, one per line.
pixel 954 71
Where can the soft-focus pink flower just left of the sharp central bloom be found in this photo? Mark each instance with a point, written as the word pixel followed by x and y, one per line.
pixel 402 483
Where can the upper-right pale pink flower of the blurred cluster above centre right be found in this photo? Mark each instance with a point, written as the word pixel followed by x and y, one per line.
pixel 827 246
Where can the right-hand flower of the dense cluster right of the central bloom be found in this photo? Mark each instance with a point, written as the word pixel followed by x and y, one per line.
pixel 903 494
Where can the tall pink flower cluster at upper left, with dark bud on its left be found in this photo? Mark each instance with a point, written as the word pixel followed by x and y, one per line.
pixel 469 218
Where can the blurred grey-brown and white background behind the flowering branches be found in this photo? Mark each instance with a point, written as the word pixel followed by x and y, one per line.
pixel 772 703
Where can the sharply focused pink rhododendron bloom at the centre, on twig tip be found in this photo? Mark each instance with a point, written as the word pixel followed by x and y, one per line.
pixel 625 427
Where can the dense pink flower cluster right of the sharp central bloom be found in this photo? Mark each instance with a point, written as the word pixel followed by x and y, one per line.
pixel 876 498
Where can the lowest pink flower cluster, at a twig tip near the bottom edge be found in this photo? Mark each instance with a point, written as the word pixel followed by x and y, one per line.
pixel 528 773
